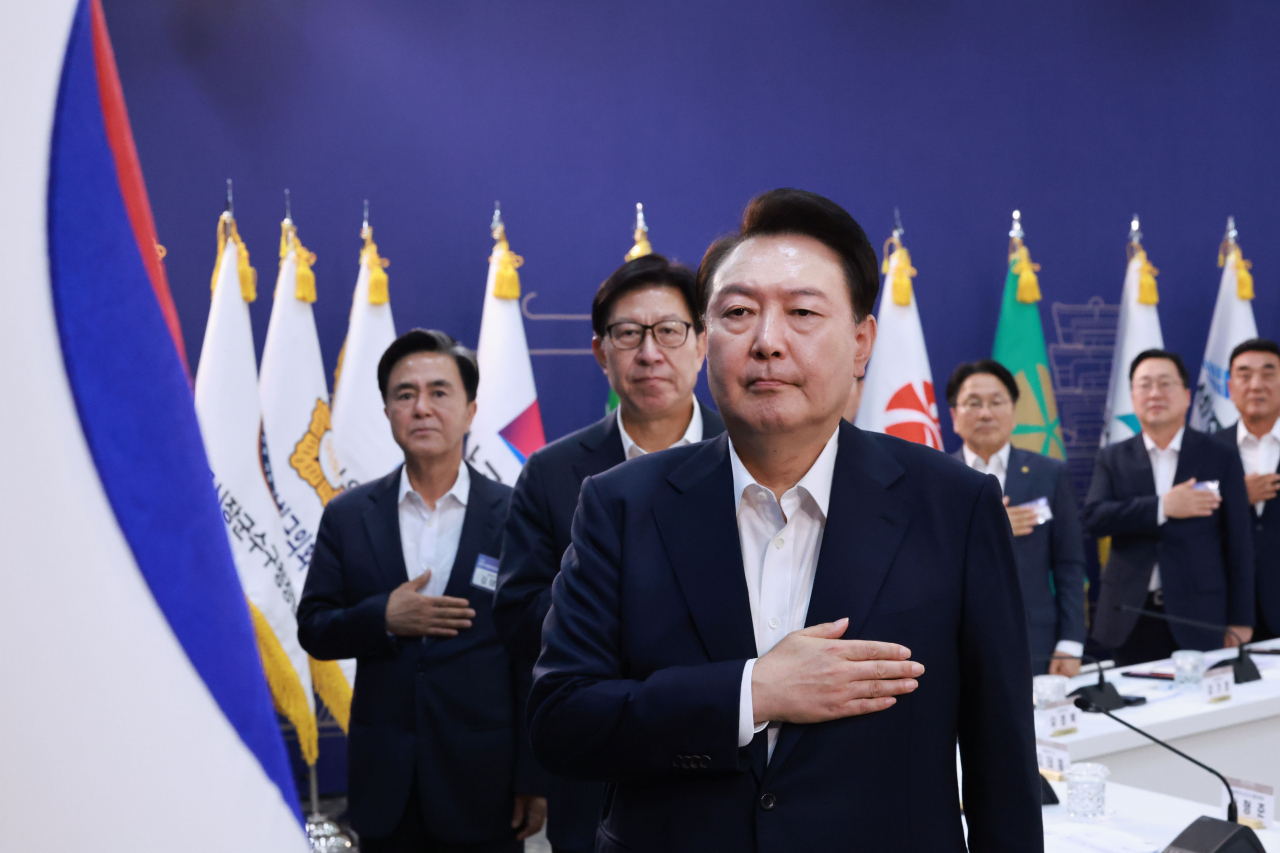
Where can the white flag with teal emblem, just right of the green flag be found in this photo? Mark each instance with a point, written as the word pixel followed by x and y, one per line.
pixel 1139 330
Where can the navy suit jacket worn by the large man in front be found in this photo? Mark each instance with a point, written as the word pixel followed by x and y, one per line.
pixel 651 627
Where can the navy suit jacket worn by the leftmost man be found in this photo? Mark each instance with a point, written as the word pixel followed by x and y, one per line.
pixel 442 709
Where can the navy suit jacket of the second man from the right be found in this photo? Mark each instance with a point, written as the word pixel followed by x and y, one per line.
pixel 1206 565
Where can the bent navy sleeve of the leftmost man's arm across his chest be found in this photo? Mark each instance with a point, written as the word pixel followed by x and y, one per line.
pixel 328 630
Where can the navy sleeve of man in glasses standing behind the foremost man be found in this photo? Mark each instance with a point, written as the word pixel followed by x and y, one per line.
pixel 528 567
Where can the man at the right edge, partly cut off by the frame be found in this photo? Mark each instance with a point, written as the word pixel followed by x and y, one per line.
pixel 1254 382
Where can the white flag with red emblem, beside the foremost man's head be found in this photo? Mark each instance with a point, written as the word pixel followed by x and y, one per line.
pixel 898 394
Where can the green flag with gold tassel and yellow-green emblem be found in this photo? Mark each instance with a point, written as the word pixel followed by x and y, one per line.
pixel 1021 348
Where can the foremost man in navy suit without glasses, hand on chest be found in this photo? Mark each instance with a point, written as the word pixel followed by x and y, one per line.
pixel 772 641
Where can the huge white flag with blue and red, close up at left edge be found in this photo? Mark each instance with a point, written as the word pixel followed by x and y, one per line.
pixel 130 662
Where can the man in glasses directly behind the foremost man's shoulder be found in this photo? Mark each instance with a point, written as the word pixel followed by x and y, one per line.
pixel 650 341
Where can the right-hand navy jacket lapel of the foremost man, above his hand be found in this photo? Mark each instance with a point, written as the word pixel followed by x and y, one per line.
pixel 866 524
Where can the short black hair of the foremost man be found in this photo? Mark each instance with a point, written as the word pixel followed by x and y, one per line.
pixel 797 212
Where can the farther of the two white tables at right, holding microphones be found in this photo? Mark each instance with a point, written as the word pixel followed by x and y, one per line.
pixel 1240 738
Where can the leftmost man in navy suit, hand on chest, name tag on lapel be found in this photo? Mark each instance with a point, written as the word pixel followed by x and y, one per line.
pixel 403 581
